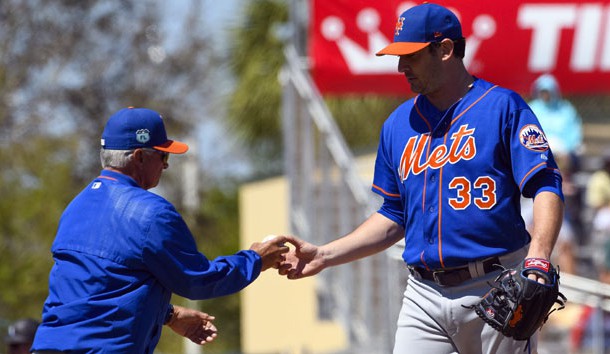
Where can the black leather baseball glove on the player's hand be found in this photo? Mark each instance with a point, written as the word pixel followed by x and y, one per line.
pixel 517 306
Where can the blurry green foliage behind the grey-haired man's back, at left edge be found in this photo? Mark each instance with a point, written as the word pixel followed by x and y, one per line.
pixel 35 187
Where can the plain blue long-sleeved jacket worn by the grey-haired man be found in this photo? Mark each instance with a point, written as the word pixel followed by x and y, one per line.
pixel 119 254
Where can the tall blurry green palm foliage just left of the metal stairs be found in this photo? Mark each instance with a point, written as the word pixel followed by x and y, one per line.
pixel 256 59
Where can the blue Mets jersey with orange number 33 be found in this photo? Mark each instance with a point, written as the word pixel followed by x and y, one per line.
pixel 458 175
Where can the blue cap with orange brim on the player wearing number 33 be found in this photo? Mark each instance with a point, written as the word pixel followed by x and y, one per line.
pixel 421 25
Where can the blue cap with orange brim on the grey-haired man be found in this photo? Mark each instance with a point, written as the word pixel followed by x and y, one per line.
pixel 132 128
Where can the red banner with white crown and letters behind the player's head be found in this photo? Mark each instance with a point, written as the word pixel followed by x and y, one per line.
pixel 509 43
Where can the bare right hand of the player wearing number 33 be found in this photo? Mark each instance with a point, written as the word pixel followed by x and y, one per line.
pixel 303 261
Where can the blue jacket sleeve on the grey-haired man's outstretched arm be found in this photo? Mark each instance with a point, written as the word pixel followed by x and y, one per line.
pixel 171 255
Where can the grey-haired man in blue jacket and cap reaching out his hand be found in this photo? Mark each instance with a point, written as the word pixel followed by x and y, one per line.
pixel 120 252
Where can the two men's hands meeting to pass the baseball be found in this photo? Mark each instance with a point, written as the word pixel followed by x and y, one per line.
pixel 293 262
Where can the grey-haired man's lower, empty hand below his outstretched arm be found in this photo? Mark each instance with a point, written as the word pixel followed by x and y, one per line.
pixel 194 325
